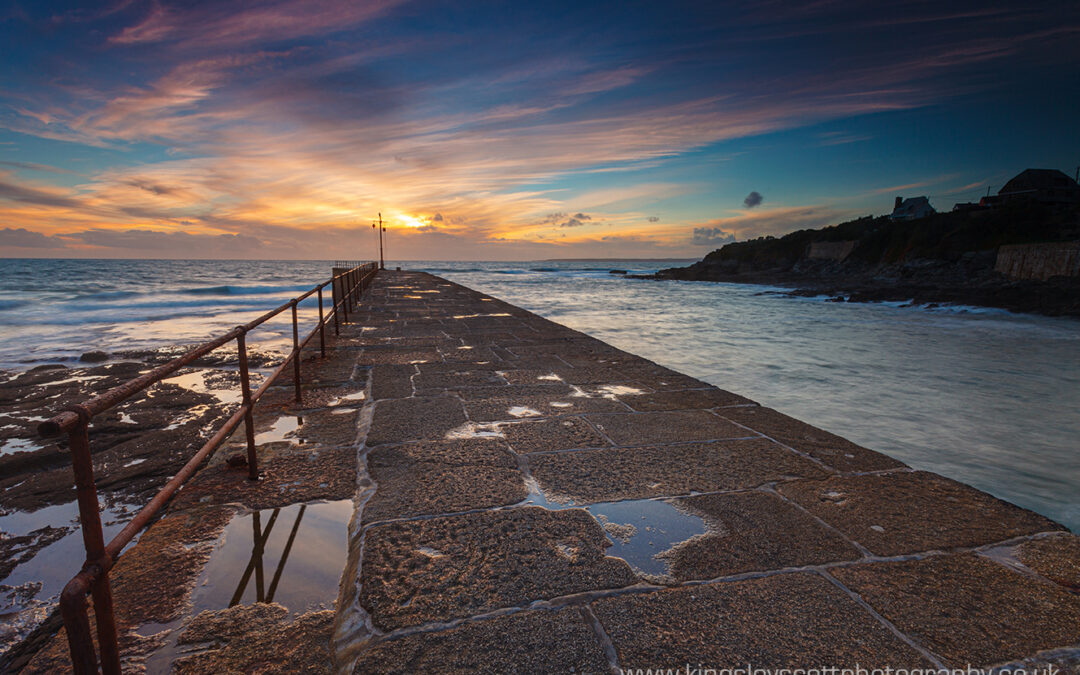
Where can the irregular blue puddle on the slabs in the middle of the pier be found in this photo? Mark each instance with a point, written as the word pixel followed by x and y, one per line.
pixel 640 530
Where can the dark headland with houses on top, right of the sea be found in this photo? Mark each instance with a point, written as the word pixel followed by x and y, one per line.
pixel 1019 251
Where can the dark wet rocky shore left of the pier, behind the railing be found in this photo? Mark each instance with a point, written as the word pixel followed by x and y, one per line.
pixel 137 447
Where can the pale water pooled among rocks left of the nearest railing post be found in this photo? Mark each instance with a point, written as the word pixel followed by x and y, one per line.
pixel 31 592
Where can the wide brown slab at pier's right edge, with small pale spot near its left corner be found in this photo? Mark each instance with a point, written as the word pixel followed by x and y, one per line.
pixel 909 512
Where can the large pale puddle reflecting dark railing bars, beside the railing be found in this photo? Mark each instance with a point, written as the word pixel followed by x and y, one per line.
pixel 293 556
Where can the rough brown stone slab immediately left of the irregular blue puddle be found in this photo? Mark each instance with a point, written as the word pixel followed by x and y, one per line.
pixel 444 569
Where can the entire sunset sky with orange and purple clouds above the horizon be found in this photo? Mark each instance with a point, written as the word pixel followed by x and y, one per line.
pixel 510 131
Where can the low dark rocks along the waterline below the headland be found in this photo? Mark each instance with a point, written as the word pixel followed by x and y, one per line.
pixel 922 282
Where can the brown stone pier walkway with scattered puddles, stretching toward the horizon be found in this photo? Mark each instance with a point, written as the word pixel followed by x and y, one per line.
pixel 529 498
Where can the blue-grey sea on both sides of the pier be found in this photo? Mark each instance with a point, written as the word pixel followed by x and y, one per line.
pixel 982 396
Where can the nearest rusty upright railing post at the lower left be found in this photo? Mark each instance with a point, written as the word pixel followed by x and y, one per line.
pixel 93 539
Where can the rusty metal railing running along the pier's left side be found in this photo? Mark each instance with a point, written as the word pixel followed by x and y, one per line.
pixel 93 579
